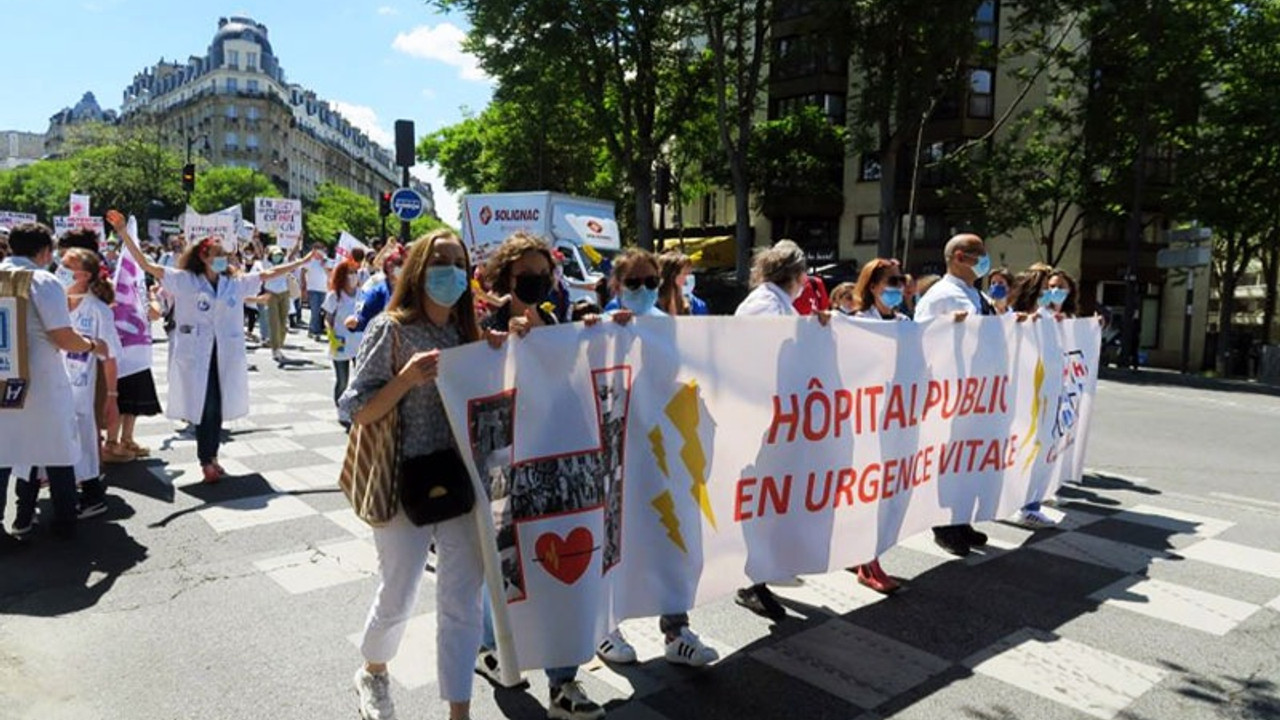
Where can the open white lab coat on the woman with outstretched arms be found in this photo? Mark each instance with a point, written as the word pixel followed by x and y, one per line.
pixel 202 320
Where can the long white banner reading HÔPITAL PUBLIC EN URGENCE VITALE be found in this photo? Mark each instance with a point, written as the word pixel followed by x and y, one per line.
pixel 647 470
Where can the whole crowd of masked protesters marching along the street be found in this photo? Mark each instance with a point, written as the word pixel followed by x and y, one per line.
pixel 385 316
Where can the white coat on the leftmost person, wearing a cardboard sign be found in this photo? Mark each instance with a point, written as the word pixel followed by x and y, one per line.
pixel 44 431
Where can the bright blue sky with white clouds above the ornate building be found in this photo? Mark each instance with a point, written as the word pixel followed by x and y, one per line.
pixel 378 60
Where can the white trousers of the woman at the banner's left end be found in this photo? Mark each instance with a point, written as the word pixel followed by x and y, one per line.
pixel 459 613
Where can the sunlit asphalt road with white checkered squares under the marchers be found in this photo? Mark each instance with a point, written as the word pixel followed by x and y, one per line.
pixel 1159 598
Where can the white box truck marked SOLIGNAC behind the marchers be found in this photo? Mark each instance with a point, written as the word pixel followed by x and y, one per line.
pixel 584 230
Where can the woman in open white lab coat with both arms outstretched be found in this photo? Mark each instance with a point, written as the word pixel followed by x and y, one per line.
pixel 209 363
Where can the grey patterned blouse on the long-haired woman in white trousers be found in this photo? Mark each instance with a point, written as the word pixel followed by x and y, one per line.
pixel 424 426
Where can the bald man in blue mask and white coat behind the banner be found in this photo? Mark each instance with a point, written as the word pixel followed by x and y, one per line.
pixel 956 297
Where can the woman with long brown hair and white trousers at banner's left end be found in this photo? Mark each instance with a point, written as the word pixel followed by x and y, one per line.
pixel 399 362
